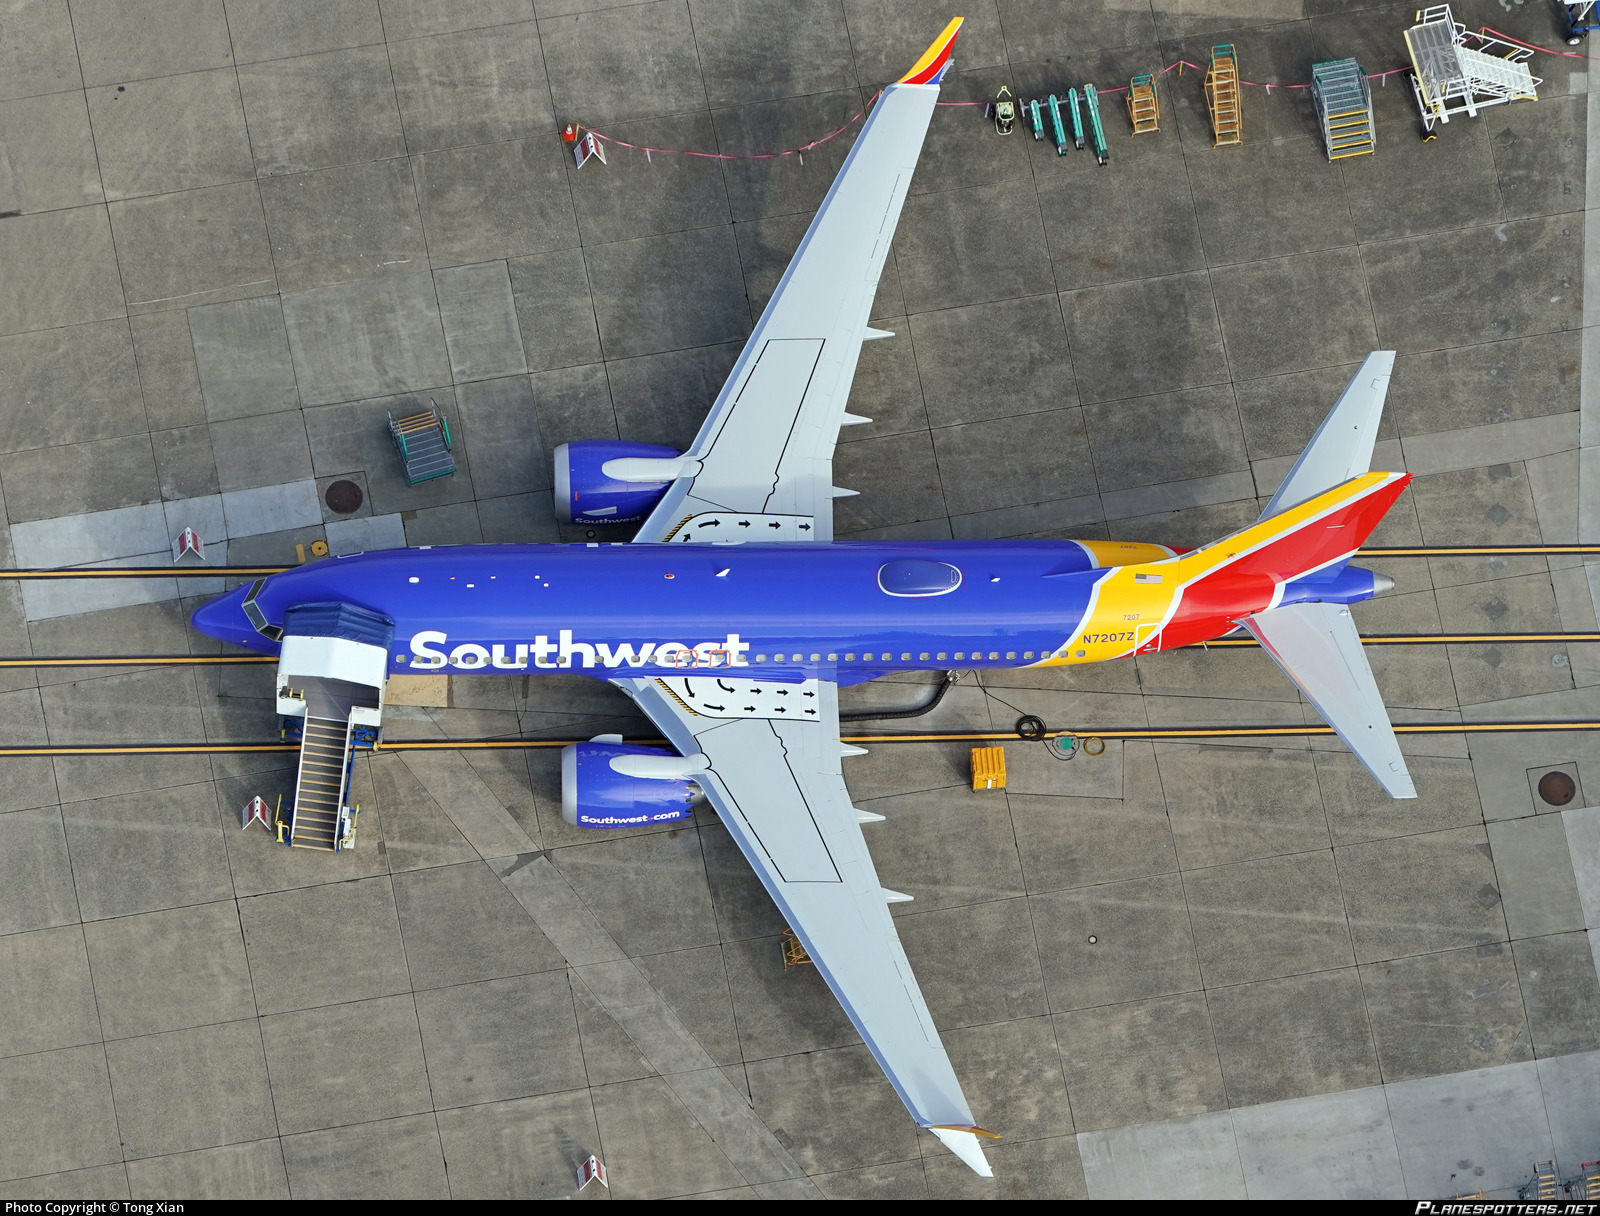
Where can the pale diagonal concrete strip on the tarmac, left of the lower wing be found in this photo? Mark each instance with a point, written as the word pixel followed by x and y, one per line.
pixel 646 1017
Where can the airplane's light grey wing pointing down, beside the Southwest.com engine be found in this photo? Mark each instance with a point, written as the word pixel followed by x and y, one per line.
pixel 778 788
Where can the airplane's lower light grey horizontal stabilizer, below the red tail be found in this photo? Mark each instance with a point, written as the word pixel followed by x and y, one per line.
pixel 1318 647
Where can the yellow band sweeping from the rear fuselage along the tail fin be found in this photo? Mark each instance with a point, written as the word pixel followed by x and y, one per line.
pixel 1132 604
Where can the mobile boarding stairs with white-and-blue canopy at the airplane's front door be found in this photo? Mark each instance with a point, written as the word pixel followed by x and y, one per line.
pixel 330 687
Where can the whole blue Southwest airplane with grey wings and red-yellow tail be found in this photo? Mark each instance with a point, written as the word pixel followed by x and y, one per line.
pixel 734 618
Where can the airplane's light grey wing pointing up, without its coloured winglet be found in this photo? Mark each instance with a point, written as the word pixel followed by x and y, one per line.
pixel 764 460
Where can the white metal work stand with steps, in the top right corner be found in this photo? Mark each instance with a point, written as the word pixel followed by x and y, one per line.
pixel 1460 73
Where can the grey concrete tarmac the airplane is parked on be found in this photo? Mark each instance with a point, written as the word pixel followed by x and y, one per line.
pixel 236 238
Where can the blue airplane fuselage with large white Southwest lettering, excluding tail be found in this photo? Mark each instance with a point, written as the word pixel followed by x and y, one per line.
pixel 783 612
